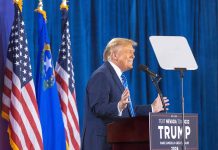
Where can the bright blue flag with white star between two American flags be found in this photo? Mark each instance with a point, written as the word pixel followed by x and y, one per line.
pixel 47 95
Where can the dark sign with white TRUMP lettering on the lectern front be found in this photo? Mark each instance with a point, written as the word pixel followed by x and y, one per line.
pixel 166 131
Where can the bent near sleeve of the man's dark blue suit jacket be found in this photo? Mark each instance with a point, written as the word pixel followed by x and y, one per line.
pixel 98 91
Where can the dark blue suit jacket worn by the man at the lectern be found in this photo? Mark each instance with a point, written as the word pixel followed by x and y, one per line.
pixel 103 93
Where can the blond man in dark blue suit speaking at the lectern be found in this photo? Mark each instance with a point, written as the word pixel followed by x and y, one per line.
pixel 107 98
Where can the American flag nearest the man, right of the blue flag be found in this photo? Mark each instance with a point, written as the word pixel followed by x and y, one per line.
pixel 66 87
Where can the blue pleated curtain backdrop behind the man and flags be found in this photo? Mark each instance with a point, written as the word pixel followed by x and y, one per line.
pixel 94 22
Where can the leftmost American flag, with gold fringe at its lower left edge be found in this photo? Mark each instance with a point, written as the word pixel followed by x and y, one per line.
pixel 19 104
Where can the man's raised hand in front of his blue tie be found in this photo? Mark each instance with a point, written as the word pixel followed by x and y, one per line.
pixel 122 104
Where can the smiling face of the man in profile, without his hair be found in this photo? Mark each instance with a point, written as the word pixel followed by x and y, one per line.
pixel 124 57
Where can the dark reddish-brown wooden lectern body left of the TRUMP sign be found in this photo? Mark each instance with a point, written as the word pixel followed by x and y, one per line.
pixel 129 134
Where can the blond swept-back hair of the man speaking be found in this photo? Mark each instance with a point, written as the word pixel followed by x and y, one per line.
pixel 115 42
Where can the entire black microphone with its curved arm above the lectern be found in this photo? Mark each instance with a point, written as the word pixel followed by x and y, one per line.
pixel 155 78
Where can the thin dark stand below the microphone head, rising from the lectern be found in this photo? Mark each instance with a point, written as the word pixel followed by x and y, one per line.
pixel 155 81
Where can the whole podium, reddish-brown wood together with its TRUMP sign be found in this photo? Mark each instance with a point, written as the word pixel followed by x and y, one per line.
pixel 159 131
